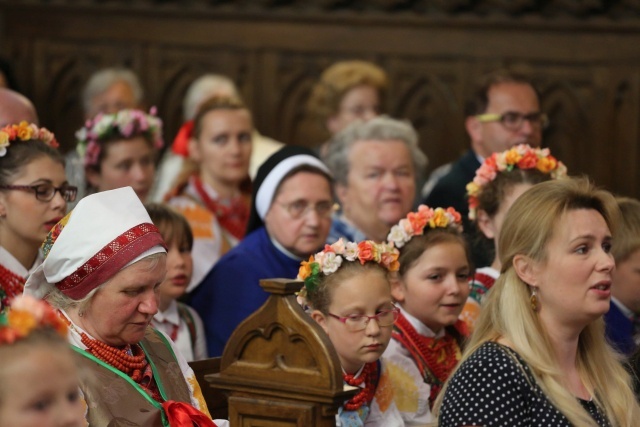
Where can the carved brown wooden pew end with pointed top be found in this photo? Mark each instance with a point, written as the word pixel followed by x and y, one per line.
pixel 279 367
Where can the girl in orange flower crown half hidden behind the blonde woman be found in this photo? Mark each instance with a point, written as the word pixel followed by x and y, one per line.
pixel 499 181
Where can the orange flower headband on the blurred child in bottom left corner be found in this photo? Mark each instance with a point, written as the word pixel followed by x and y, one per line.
pixel 24 315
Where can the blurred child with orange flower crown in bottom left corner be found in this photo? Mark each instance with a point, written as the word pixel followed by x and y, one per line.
pixel 38 376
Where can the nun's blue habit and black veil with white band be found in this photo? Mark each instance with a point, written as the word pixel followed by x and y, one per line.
pixel 236 277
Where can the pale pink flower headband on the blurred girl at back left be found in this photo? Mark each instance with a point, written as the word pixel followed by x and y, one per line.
pixel 124 123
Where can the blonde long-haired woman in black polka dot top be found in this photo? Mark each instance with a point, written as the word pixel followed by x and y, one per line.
pixel 538 355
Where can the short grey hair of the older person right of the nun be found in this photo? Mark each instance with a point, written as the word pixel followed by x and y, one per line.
pixel 382 128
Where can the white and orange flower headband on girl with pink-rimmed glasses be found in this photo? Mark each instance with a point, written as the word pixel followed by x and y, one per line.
pixel 331 257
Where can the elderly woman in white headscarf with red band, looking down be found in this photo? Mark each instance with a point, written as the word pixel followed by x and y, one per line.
pixel 103 265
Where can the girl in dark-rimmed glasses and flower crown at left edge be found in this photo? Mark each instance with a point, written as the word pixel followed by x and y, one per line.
pixel 33 197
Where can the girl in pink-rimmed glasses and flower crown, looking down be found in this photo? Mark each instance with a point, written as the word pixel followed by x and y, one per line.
pixel 347 289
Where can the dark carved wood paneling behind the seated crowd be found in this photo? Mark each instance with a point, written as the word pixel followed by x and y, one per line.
pixel 584 56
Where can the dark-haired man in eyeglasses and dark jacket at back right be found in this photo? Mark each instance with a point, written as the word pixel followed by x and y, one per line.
pixel 503 111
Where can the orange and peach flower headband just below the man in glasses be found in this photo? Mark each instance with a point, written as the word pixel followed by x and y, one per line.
pixel 522 157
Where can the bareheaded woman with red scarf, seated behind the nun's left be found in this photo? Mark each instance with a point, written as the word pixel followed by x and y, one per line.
pixel 213 192
